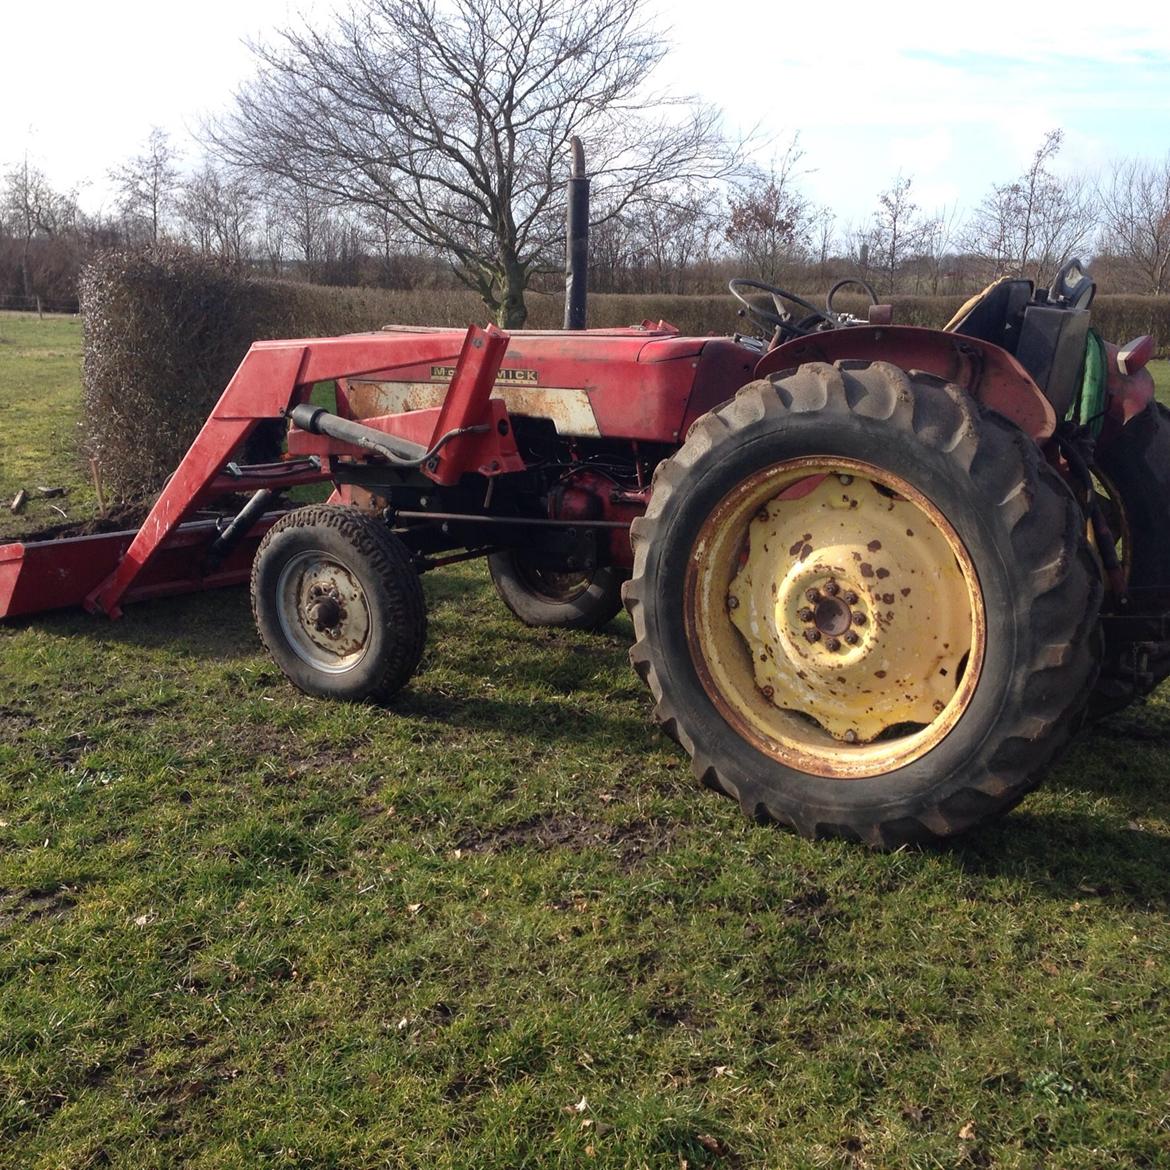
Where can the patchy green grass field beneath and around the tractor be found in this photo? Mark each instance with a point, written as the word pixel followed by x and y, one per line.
pixel 498 926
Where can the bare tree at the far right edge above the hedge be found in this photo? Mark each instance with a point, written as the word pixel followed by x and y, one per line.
pixel 1135 212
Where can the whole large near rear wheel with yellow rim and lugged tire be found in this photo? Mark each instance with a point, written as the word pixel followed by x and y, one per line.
pixel 863 607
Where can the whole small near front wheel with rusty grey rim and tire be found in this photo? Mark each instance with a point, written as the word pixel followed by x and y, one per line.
pixel 339 604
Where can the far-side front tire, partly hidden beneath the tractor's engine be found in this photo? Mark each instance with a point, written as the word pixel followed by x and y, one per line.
pixel 538 601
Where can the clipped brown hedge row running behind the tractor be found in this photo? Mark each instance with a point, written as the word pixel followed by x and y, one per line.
pixel 166 332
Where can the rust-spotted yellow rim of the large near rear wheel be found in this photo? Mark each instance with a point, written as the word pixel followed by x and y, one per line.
pixel 835 617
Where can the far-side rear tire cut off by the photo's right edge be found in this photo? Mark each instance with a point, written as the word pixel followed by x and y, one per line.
pixel 1138 466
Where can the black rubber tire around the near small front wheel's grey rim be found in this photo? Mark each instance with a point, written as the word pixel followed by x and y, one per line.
pixel 381 565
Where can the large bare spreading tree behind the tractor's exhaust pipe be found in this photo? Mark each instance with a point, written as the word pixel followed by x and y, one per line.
pixel 456 123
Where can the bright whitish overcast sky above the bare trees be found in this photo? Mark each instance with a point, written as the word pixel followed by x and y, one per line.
pixel 955 102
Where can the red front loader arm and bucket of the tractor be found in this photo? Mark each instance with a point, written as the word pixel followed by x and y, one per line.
pixel 168 556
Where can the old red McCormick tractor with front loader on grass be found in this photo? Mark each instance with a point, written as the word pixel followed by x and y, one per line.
pixel 878 575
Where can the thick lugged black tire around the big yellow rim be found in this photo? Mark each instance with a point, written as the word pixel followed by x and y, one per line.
pixel 1022 529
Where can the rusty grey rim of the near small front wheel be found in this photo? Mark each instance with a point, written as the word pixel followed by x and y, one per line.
pixel 324 612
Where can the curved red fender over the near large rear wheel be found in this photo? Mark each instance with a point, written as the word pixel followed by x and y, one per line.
pixel 992 376
